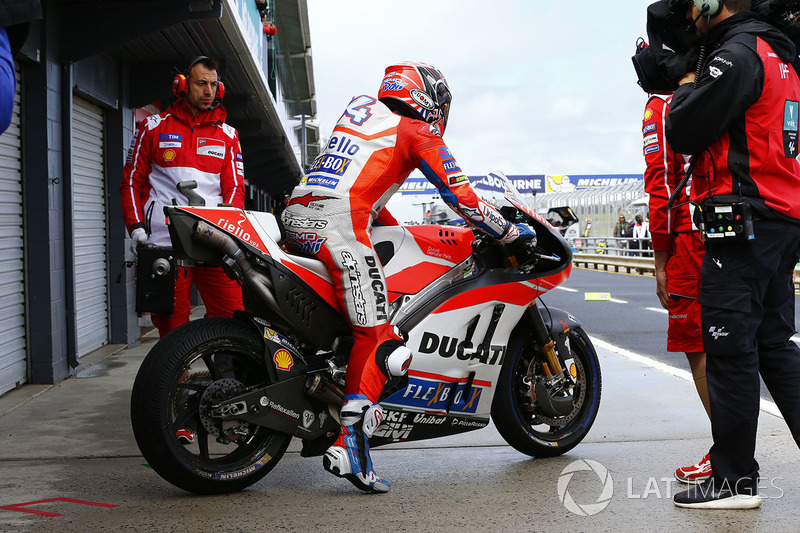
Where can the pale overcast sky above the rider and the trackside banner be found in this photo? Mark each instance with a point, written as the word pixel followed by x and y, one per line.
pixel 538 87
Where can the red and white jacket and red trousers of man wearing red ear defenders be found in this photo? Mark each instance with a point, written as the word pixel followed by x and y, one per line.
pixel 168 148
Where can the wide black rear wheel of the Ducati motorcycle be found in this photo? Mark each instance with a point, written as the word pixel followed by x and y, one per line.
pixel 188 371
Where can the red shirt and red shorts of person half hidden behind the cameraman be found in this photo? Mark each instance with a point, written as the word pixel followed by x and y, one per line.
pixel 672 229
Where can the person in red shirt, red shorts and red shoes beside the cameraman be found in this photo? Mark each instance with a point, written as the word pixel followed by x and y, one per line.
pixel 678 252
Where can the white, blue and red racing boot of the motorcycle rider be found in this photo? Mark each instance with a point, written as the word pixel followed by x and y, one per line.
pixel 349 456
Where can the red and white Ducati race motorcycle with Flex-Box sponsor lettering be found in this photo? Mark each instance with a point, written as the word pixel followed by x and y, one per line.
pixel 483 348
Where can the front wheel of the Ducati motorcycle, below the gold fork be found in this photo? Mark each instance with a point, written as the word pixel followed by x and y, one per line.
pixel 521 419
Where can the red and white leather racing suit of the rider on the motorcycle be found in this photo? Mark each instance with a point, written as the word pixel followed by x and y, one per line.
pixel 370 153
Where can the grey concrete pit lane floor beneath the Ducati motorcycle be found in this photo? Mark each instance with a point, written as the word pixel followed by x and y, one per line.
pixel 74 441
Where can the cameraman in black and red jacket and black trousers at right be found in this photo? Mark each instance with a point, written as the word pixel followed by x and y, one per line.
pixel 739 117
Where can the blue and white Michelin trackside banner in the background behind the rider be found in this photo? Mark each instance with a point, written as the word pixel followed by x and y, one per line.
pixel 528 184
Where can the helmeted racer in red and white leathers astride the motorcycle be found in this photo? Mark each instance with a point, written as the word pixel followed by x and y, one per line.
pixel 374 147
